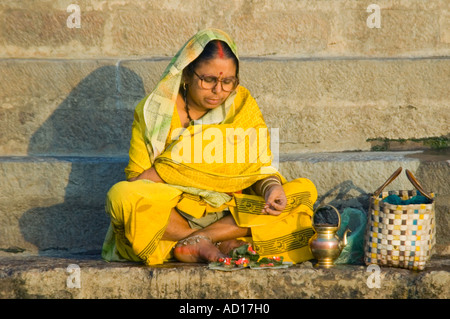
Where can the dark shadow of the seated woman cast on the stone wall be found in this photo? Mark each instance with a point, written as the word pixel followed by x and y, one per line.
pixel 90 130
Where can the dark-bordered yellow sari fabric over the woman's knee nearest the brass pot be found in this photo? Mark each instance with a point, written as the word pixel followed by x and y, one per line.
pixel 285 235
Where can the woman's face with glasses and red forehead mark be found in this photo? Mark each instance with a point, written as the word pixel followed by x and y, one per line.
pixel 207 99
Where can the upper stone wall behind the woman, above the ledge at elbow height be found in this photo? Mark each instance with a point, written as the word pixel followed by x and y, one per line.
pixel 320 74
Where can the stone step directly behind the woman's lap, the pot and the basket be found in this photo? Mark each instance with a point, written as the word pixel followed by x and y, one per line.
pixel 57 203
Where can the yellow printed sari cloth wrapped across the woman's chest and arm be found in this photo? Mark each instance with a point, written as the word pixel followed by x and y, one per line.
pixel 225 157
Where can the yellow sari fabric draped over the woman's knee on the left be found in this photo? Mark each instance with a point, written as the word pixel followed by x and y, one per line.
pixel 139 215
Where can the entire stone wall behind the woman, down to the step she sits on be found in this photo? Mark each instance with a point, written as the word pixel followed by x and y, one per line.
pixel 319 73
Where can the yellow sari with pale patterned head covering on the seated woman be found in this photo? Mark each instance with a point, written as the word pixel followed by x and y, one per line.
pixel 208 168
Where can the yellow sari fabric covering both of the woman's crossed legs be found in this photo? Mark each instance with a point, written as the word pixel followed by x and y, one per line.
pixel 140 212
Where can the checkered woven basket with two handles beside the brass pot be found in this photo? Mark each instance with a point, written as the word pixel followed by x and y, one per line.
pixel 400 235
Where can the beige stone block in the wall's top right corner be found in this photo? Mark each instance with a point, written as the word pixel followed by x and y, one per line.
pixel 407 28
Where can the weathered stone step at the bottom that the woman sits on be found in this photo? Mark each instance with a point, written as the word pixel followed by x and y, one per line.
pixel 88 277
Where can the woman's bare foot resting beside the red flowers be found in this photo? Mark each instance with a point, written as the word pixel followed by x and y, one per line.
pixel 197 249
